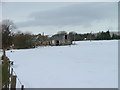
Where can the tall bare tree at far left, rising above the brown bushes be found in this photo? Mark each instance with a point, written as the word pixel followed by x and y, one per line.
pixel 7 28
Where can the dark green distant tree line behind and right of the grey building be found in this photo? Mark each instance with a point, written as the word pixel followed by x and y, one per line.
pixel 91 36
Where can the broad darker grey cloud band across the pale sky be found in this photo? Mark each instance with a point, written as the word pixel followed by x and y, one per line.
pixel 77 14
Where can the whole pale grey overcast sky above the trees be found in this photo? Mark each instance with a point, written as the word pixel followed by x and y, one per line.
pixel 50 17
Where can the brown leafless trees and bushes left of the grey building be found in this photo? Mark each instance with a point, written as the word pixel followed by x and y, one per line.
pixel 18 40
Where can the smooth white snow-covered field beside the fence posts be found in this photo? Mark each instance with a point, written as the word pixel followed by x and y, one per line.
pixel 85 65
